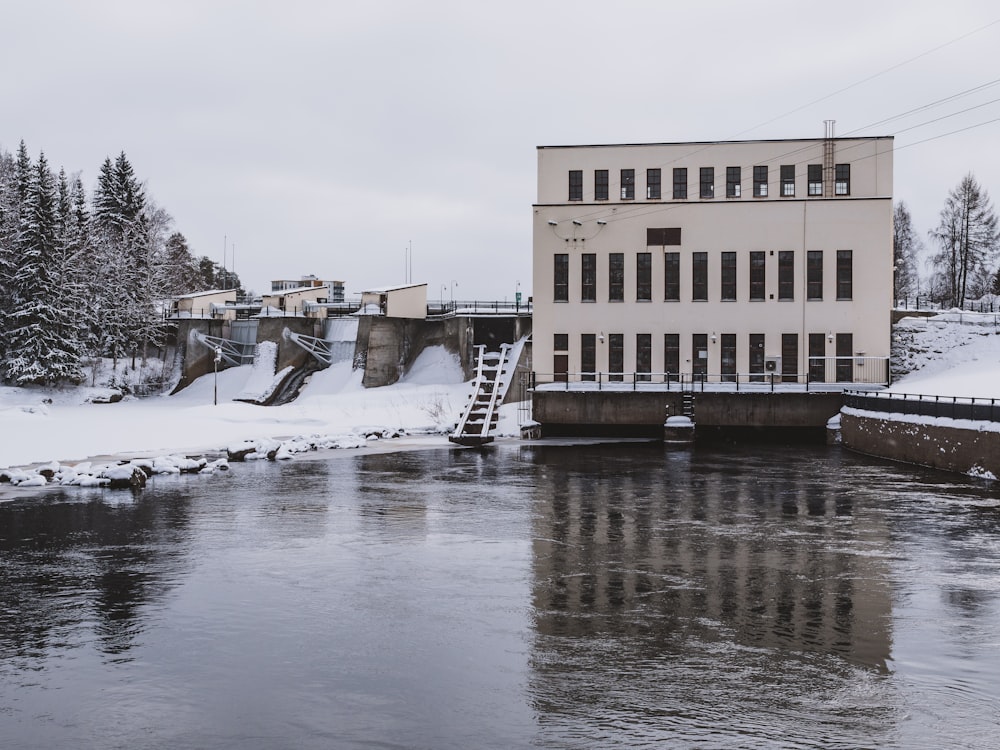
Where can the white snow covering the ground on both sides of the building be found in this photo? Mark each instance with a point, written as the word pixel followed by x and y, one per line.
pixel 950 355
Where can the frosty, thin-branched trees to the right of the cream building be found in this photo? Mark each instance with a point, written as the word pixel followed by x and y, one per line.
pixel 966 242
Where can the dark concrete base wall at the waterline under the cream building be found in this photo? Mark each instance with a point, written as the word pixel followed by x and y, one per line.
pixel 650 408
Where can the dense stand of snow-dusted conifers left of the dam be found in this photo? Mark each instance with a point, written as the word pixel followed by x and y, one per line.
pixel 82 279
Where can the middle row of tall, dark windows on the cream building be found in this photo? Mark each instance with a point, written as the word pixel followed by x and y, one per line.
pixel 699 270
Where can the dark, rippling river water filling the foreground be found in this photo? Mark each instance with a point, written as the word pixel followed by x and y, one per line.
pixel 521 596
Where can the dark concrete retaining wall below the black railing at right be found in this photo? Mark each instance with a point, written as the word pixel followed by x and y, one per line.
pixel 948 448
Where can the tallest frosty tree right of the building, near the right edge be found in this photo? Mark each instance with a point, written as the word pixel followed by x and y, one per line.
pixel 968 239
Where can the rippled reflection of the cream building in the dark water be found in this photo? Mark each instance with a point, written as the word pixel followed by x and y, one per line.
pixel 653 567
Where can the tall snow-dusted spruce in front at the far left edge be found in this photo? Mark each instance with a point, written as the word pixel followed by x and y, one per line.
pixel 37 352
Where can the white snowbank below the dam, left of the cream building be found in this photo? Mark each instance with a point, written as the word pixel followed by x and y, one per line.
pixel 43 425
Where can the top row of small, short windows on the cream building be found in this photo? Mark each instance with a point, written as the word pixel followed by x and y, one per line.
pixel 706 182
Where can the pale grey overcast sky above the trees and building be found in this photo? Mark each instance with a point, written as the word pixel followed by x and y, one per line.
pixel 310 137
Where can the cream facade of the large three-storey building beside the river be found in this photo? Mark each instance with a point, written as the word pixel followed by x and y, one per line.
pixel 724 261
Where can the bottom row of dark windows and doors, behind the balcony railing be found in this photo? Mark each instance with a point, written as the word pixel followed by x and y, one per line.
pixel 817 364
